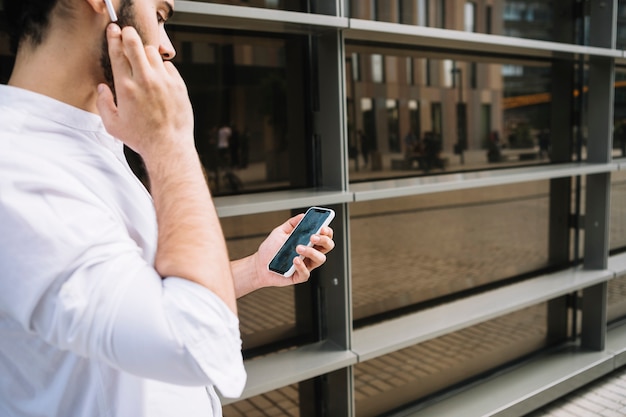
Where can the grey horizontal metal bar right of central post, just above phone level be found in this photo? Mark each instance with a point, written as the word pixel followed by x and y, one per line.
pixel 376 190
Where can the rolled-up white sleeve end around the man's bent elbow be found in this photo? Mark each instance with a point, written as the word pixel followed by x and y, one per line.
pixel 188 325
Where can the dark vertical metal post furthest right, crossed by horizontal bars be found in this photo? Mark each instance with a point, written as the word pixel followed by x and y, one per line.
pixel 602 33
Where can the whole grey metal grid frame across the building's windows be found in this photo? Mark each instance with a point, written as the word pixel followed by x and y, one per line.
pixel 324 368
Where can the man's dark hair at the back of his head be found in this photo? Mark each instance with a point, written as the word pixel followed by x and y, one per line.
pixel 27 20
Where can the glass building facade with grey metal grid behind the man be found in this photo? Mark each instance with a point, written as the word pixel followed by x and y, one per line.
pixel 474 153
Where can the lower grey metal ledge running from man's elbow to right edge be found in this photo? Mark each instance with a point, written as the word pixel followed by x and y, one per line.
pixel 281 369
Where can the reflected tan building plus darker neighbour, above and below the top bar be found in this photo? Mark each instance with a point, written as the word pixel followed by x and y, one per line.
pixel 415 89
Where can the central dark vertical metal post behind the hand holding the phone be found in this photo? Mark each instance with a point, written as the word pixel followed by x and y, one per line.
pixel 332 394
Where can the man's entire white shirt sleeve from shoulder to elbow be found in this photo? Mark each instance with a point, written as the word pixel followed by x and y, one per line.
pixel 73 276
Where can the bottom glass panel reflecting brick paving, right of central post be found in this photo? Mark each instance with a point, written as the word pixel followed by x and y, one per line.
pixel 407 375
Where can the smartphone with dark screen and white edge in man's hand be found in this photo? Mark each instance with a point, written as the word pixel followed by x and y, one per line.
pixel 314 219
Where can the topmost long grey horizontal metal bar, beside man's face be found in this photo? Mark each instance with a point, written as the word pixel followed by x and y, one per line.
pixel 282 21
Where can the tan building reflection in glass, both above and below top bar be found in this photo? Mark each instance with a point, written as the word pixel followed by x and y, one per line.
pixel 415 90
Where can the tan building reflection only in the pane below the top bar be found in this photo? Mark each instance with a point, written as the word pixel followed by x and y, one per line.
pixel 421 93
